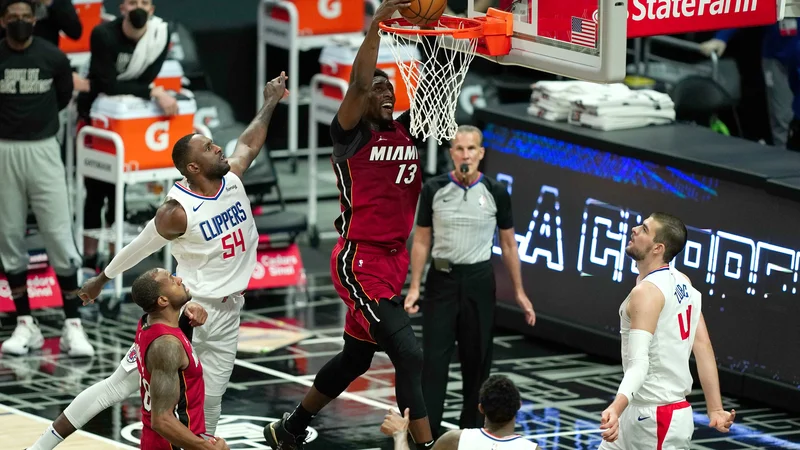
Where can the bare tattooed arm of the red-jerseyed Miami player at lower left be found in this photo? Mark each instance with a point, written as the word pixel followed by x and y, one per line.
pixel 165 357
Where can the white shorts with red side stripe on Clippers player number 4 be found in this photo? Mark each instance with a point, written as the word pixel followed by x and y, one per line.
pixel 652 427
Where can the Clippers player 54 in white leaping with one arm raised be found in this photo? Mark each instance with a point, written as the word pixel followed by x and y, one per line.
pixel 208 218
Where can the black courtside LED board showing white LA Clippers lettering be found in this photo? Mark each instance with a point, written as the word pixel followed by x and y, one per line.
pixel 574 208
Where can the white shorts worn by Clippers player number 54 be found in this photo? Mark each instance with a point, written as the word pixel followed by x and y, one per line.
pixel 215 343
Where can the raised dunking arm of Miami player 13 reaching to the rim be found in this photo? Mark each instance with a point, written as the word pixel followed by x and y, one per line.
pixel 354 103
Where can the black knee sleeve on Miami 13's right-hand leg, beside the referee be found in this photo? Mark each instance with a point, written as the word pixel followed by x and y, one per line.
pixel 406 355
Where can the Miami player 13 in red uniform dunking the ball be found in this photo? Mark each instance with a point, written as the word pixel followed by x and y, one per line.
pixel 377 168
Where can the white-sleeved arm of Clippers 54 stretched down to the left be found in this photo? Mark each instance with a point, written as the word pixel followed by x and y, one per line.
pixel 169 224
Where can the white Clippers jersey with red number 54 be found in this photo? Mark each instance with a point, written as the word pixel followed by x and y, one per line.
pixel 217 254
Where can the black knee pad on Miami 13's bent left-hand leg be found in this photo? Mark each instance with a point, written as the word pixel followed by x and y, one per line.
pixel 352 362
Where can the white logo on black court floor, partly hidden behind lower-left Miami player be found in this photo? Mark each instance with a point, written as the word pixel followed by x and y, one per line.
pixel 238 431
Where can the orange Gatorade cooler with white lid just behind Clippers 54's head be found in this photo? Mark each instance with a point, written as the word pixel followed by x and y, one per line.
pixel 148 135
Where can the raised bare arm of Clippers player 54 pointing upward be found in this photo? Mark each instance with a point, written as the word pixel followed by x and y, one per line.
pixel 253 138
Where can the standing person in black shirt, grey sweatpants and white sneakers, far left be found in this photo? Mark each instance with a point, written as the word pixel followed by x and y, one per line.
pixel 36 84
